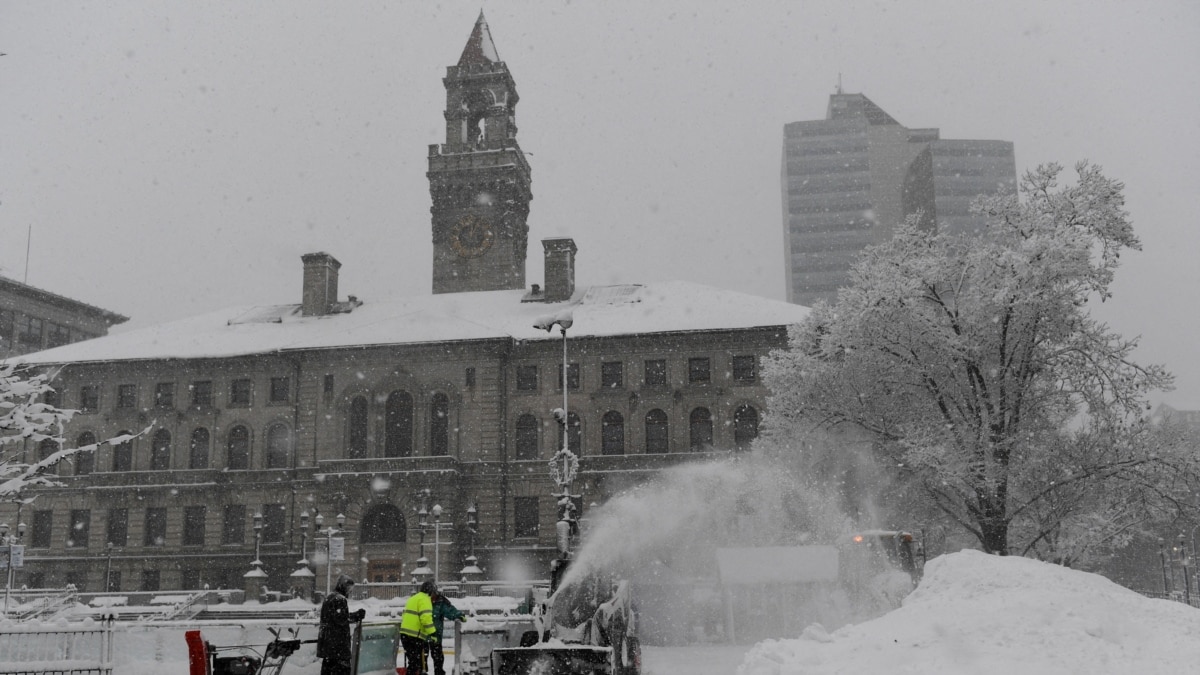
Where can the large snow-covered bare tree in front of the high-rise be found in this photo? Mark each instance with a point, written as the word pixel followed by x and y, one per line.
pixel 976 367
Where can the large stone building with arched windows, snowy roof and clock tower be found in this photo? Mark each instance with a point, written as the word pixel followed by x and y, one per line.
pixel 377 410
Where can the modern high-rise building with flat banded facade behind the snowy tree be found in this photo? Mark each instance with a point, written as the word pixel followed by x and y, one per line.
pixel 849 180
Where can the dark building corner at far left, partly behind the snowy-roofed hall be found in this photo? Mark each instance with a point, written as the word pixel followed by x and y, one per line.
pixel 33 320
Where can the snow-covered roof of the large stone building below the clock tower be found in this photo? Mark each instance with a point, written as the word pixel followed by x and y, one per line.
pixel 449 318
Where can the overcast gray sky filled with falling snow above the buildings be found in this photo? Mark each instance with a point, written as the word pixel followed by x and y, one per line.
pixel 179 157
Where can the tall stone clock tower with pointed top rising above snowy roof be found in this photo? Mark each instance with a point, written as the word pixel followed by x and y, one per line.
pixel 479 178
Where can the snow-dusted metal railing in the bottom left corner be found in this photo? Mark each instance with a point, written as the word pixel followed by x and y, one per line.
pixel 57 650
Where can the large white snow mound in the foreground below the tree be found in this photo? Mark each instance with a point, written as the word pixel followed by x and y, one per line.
pixel 986 616
